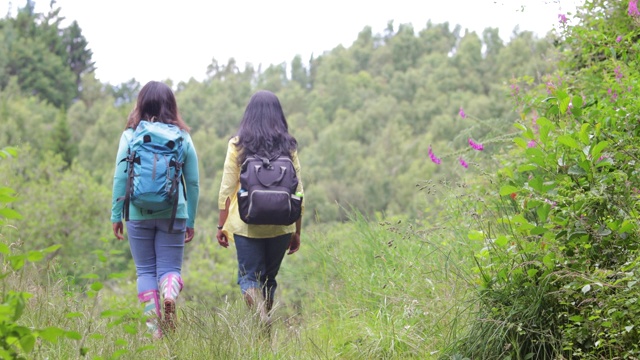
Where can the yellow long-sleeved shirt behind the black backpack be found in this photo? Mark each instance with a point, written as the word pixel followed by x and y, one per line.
pixel 229 190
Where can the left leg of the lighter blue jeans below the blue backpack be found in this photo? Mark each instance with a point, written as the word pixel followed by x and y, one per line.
pixel 141 234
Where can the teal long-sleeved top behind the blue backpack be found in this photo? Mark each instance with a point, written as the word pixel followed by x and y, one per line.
pixel 186 209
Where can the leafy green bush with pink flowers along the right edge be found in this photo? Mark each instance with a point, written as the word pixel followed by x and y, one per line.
pixel 557 273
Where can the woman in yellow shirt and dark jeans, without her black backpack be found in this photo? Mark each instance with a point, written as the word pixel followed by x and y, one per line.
pixel 260 248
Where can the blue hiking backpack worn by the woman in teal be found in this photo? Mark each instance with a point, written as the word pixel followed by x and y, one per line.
pixel 155 160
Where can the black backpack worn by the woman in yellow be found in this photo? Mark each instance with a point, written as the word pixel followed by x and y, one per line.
pixel 267 191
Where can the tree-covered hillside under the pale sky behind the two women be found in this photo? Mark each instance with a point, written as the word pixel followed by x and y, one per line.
pixel 364 116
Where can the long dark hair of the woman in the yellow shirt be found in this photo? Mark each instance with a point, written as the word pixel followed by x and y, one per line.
pixel 264 130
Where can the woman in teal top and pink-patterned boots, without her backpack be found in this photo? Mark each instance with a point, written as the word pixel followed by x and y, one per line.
pixel 156 250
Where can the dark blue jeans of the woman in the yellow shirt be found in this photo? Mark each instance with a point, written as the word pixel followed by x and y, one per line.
pixel 259 261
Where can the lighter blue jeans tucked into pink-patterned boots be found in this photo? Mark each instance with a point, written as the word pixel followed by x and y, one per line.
pixel 155 251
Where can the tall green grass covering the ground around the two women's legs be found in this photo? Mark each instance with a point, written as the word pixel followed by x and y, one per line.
pixel 361 290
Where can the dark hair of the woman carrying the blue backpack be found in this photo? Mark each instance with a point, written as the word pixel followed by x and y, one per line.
pixel 156 102
